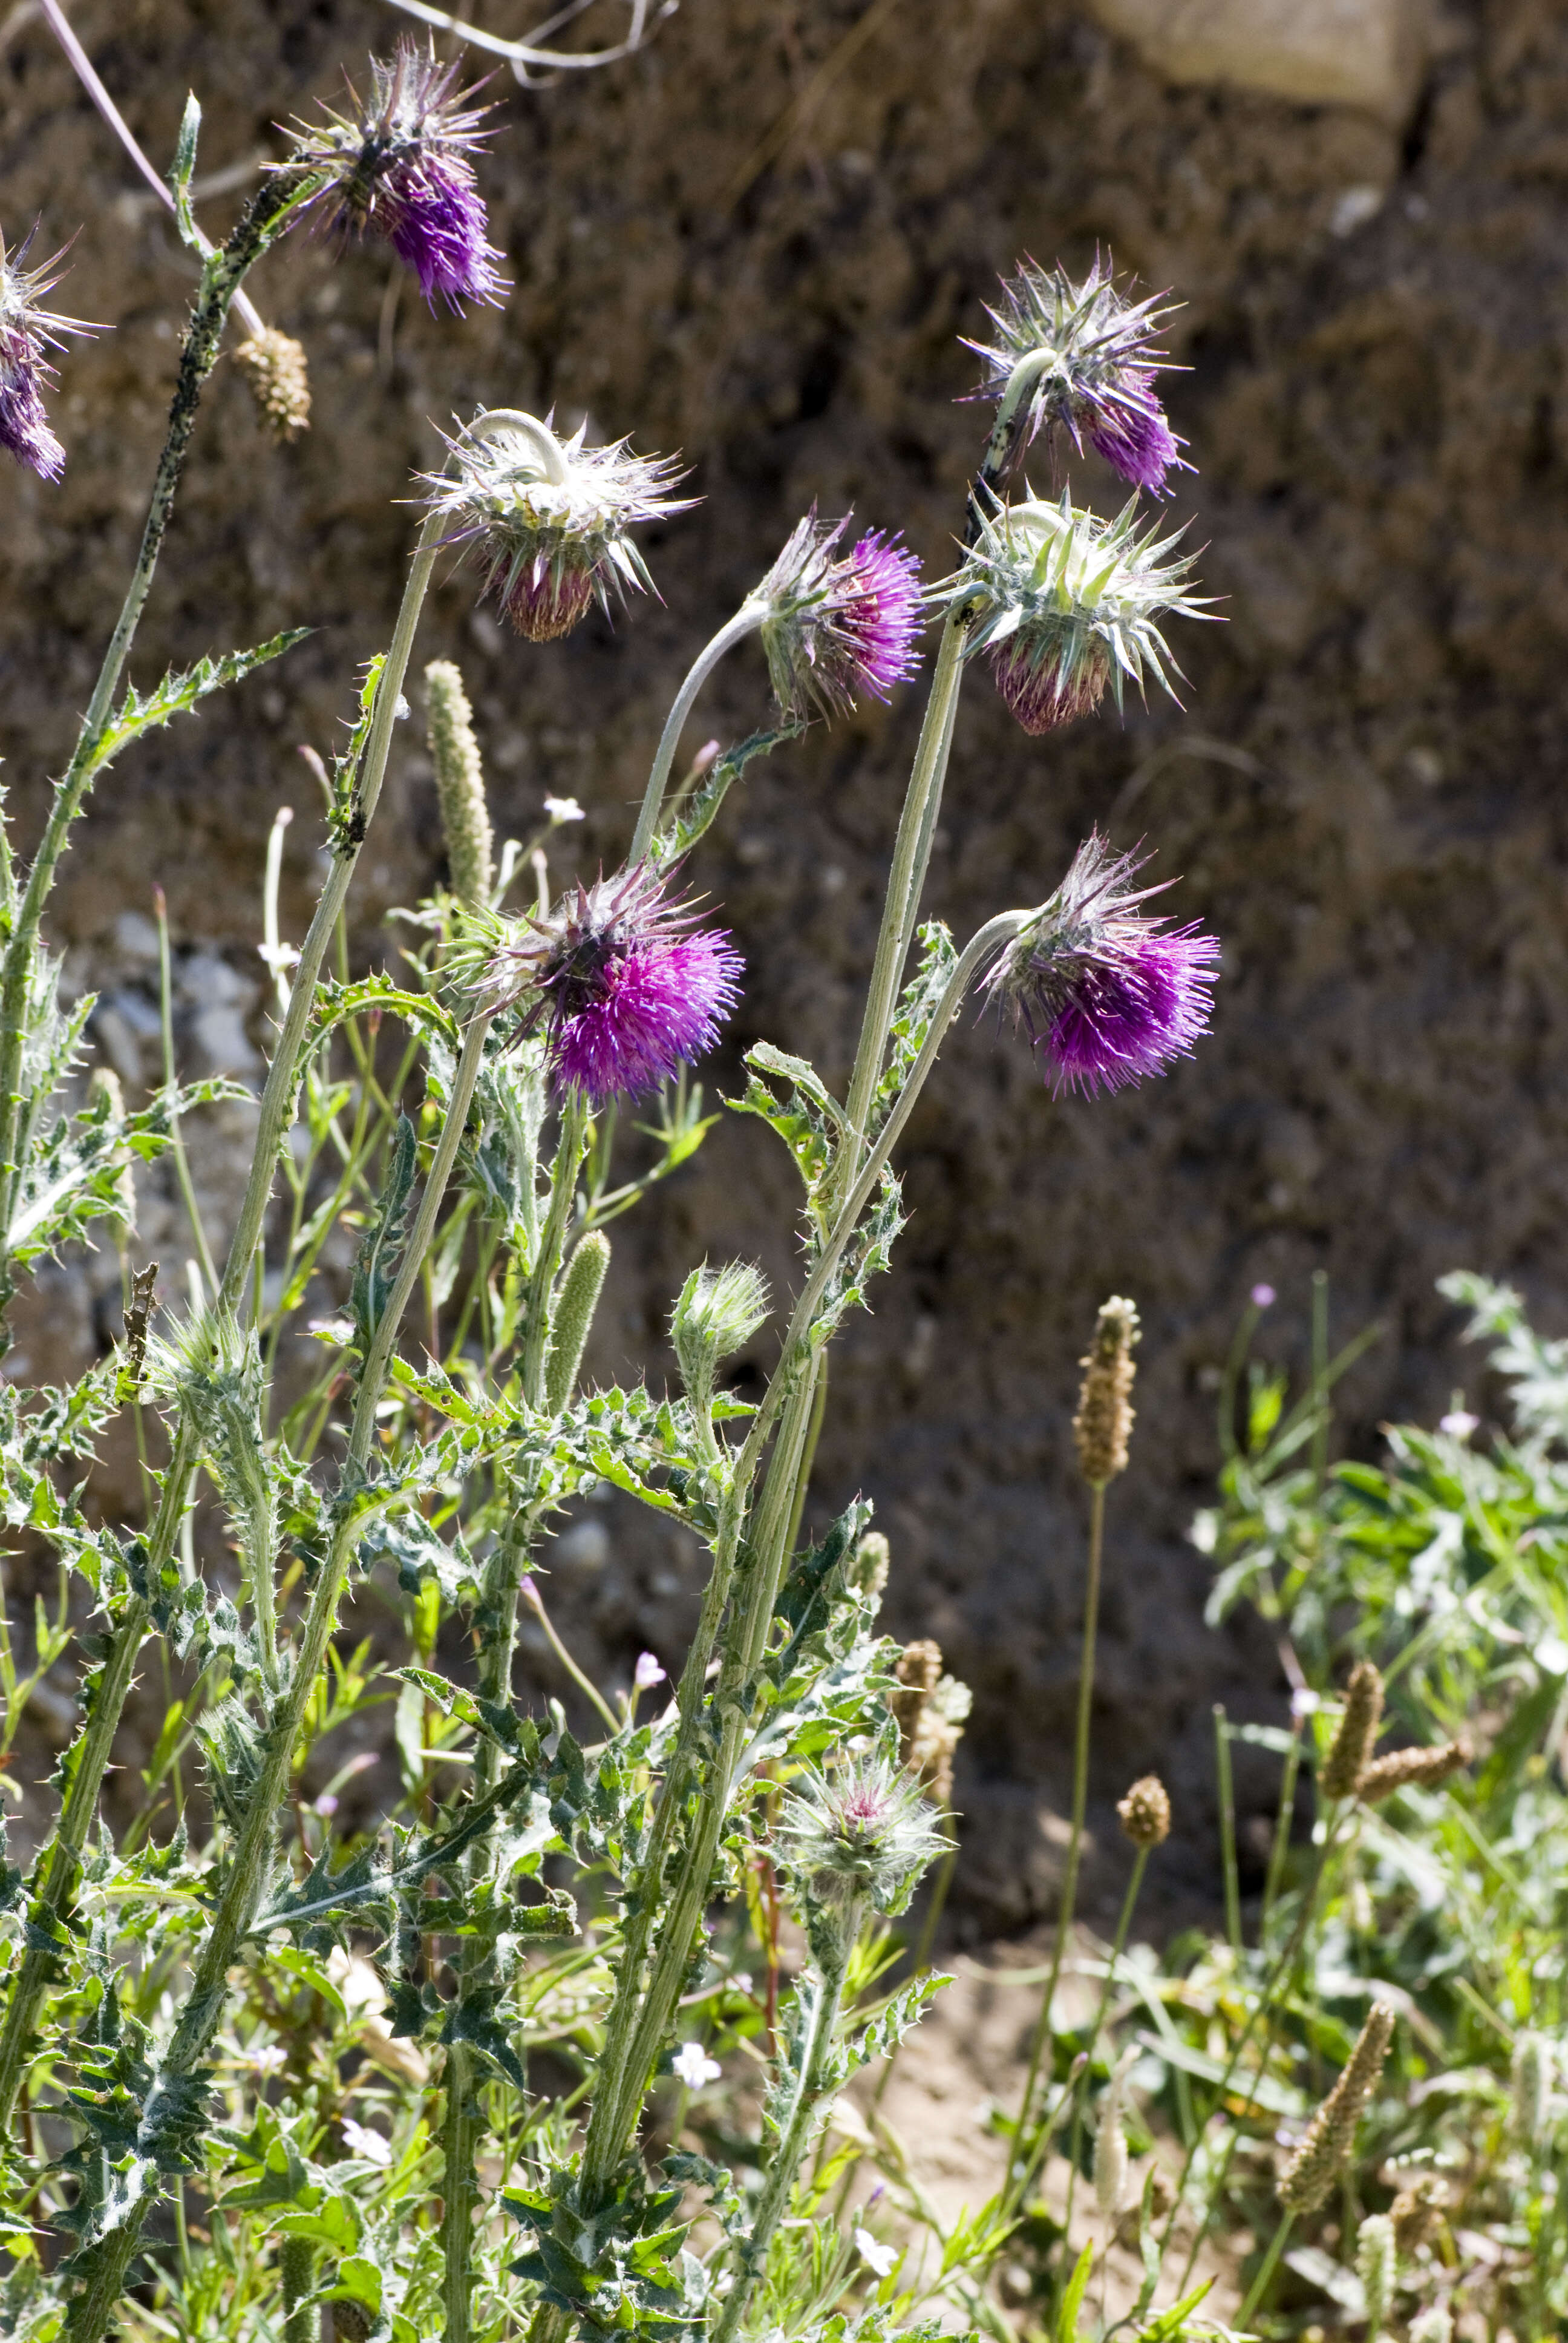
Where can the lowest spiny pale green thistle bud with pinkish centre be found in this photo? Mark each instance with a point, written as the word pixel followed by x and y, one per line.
pixel 866 1833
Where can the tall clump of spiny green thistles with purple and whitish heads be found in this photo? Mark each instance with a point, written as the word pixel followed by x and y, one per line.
pixel 177 2023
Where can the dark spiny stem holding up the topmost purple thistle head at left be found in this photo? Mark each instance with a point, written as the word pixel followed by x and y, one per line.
pixel 264 221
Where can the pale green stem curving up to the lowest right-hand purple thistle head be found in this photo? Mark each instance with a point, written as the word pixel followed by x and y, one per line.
pixel 786 1405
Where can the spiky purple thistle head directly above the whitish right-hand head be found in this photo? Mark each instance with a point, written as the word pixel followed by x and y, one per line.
pixel 1093 360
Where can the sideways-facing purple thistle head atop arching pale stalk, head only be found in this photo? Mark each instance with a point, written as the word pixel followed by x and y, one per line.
pixel 838 624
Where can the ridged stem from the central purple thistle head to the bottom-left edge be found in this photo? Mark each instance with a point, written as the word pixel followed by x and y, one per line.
pixel 107 2267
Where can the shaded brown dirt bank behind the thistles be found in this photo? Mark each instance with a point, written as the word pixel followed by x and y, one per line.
pixel 761 243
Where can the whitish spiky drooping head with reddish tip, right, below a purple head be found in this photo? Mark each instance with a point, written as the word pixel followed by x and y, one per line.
pixel 1072 606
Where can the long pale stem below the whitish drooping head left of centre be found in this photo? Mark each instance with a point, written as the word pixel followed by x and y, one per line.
pixel 275 1112
